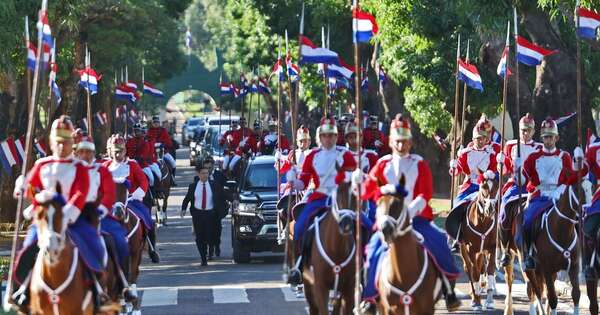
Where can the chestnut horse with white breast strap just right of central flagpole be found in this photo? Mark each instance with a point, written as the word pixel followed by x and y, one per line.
pixel 408 281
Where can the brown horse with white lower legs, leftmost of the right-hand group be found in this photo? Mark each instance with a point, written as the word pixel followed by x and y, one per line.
pixel 478 243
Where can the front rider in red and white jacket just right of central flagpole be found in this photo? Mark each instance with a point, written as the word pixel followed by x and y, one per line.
pixel 383 180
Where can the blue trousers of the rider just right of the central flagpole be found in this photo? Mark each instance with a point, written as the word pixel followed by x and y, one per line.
pixel 434 241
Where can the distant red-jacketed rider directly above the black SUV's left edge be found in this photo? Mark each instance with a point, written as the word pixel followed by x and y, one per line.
pixel 239 141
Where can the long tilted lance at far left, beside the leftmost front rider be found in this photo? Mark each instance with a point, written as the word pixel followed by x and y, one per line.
pixel 31 107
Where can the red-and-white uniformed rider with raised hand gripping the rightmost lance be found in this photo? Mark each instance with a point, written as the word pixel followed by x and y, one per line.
pixel 548 172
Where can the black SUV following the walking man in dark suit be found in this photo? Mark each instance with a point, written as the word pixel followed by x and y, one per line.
pixel 254 215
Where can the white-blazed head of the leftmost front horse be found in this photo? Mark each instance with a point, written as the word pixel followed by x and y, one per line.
pixel 51 223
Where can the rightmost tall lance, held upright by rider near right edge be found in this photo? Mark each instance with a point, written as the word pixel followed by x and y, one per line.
pixel 579 131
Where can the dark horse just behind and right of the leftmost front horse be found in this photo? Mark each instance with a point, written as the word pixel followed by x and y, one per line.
pixel 135 238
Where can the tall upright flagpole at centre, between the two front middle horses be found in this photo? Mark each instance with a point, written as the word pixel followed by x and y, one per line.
pixel 357 80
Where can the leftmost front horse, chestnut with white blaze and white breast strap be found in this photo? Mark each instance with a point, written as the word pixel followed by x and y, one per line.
pixel 58 284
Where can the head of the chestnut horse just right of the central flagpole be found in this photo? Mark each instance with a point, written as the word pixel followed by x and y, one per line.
pixel 393 219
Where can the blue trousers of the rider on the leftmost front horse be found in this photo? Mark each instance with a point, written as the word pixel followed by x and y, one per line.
pixel 83 236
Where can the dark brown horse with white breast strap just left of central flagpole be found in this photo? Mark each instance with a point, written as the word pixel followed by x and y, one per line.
pixel 331 265
